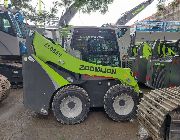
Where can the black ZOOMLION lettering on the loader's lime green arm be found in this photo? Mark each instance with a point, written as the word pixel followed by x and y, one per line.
pixel 97 69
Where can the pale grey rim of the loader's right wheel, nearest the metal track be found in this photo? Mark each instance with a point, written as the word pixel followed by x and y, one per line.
pixel 123 104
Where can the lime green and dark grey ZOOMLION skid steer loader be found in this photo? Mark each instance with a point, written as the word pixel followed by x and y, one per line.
pixel 55 79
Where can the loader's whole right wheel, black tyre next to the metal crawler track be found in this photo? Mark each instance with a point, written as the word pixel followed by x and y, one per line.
pixel 120 103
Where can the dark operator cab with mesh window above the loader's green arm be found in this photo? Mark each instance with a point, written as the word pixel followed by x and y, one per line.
pixel 99 45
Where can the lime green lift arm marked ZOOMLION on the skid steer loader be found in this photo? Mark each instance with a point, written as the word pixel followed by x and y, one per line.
pixel 47 51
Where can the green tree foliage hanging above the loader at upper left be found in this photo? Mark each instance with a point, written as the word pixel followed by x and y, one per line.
pixel 70 7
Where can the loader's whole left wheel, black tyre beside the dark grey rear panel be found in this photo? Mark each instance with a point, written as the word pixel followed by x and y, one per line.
pixel 71 105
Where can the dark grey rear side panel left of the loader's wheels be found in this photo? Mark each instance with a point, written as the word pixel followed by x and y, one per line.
pixel 38 87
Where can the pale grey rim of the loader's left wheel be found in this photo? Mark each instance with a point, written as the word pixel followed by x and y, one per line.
pixel 71 107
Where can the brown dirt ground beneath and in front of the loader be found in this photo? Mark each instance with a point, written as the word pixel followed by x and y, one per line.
pixel 19 123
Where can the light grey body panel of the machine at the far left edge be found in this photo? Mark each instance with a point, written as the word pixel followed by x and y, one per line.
pixel 9 45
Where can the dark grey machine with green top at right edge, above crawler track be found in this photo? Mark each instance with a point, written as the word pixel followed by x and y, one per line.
pixel 163 71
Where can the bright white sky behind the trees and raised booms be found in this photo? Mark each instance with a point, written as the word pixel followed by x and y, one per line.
pixel 115 10
